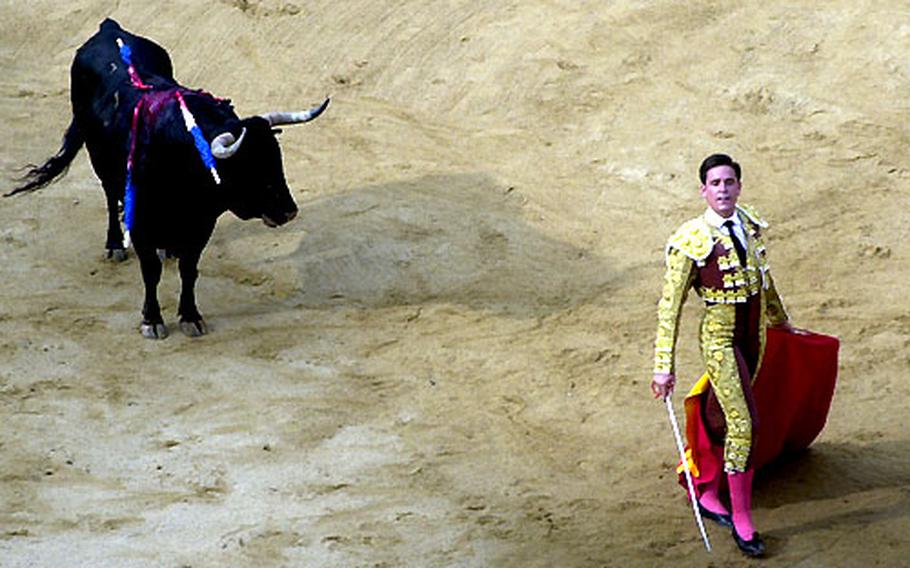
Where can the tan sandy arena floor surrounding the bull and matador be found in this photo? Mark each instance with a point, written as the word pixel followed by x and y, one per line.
pixel 444 360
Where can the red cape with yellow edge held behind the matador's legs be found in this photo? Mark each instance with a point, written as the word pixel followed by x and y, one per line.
pixel 793 393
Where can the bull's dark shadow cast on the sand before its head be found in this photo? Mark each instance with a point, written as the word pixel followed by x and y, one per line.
pixel 460 239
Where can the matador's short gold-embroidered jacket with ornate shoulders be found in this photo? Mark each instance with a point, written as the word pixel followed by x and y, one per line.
pixel 699 255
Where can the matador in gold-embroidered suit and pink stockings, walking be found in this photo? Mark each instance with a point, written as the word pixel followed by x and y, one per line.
pixel 721 254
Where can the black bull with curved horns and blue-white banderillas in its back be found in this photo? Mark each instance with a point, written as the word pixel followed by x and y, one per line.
pixel 176 199
